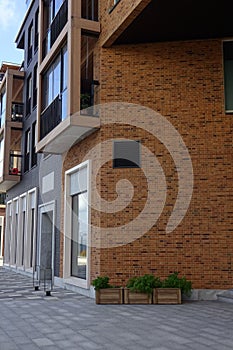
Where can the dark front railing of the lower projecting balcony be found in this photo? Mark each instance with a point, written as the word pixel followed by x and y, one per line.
pixel 51 117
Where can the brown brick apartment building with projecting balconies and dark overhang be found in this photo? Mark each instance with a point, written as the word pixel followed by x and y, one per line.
pixel 136 98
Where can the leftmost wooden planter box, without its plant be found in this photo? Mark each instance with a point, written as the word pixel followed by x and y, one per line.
pixel 109 296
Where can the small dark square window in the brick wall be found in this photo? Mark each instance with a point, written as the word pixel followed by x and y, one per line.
pixel 126 154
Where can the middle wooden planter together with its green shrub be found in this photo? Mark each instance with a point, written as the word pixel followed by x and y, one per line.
pixel 139 289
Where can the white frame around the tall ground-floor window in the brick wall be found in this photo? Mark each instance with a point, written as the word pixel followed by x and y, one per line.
pixel 68 227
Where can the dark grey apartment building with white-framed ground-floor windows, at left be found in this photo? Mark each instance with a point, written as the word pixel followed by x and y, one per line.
pixel 33 184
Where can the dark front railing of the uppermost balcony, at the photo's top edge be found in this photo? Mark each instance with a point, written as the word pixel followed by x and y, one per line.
pixel 55 28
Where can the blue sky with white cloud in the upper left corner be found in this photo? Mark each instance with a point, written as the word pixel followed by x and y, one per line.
pixel 11 16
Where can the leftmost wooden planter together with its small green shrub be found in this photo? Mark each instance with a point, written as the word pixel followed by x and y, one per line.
pixel 105 293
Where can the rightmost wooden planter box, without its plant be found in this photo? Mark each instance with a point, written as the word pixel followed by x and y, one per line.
pixel 167 296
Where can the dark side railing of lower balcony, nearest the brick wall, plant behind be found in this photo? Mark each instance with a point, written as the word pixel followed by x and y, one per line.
pixel 88 97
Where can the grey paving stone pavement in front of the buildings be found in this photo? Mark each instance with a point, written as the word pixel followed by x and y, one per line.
pixel 71 321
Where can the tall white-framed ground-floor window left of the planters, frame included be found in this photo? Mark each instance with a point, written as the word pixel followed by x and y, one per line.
pixel 76 226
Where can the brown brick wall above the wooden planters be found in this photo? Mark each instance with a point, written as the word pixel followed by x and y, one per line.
pixel 183 81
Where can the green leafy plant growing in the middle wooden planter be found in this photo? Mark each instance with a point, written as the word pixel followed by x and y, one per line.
pixel 143 284
